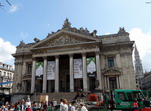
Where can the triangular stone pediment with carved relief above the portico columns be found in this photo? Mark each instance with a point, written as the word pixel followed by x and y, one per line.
pixel 65 38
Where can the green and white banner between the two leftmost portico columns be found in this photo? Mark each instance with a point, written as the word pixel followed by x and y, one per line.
pixel 39 70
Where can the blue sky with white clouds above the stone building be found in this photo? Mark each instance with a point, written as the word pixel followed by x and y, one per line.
pixel 25 20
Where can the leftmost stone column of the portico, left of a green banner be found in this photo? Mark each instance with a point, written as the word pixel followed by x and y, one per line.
pixel 33 76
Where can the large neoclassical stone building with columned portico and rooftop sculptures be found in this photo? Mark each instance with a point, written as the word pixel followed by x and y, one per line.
pixel 72 59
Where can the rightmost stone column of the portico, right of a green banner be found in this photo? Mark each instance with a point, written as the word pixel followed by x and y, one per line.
pixel 98 70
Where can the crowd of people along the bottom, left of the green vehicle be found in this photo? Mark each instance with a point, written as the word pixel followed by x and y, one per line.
pixel 52 105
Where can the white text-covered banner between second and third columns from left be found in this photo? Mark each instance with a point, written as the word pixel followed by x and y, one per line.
pixel 51 70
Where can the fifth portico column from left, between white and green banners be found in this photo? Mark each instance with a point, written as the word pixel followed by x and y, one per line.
pixel 85 85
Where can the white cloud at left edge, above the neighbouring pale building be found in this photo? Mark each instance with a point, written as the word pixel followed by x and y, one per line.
pixel 6 49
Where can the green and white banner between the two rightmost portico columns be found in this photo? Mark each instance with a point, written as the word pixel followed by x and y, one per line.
pixel 91 66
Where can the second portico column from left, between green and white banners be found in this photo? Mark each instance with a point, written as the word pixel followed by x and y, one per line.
pixel 45 76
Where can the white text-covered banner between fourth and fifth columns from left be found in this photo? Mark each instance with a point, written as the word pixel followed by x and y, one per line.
pixel 77 68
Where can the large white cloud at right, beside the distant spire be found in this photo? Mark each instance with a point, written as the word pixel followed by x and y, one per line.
pixel 143 43
